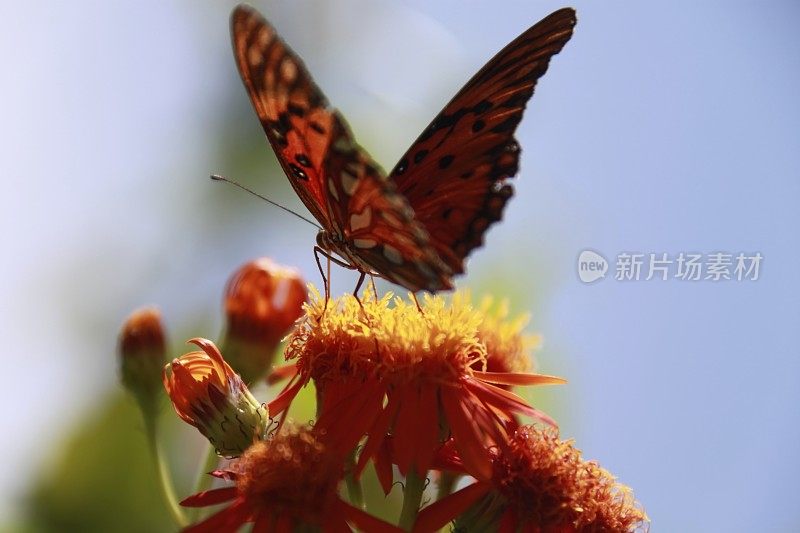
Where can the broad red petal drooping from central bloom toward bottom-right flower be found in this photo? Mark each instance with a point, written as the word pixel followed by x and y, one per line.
pixel 467 439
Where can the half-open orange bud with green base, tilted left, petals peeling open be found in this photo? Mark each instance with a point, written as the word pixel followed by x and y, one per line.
pixel 209 395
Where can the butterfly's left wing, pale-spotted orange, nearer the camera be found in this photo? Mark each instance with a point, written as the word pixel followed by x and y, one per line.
pixel 334 177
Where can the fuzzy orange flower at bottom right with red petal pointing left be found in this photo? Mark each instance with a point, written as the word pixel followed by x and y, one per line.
pixel 539 483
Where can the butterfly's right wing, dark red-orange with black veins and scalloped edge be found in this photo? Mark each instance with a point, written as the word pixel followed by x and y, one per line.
pixel 454 175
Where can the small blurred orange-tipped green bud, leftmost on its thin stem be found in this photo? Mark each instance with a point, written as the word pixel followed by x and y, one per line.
pixel 142 356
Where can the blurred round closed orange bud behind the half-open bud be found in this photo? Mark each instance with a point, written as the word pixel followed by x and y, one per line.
pixel 262 301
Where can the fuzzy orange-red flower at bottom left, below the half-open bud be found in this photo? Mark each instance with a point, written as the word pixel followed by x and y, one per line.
pixel 288 483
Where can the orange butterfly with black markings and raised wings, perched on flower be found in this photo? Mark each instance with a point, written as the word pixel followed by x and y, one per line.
pixel 416 226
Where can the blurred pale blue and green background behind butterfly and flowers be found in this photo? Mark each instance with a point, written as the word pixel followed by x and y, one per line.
pixel 661 127
